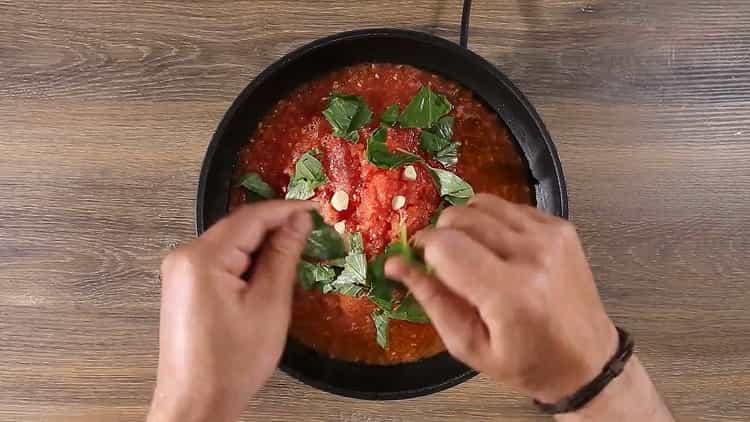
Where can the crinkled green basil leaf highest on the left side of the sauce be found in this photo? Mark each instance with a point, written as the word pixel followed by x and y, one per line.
pixel 346 114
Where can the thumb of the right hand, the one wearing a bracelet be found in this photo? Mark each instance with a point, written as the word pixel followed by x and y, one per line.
pixel 460 327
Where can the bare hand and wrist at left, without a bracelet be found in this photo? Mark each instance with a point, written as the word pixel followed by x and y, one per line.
pixel 221 337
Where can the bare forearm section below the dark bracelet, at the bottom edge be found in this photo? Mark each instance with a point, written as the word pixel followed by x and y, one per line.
pixel 629 397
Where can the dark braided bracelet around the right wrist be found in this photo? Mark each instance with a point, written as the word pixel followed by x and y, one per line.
pixel 612 369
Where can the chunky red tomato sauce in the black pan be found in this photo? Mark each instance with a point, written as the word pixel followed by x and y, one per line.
pixel 340 326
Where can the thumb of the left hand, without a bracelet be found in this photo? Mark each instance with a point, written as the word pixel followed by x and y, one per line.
pixel 276 268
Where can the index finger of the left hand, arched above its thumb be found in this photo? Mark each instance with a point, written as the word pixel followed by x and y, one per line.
pixel 246 228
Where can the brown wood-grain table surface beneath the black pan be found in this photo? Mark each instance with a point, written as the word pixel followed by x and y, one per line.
pixel 106 108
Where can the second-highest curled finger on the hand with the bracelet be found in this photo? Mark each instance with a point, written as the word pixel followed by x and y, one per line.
pixel 494 234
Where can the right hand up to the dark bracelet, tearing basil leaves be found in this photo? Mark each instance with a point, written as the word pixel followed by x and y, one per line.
pixel 513 296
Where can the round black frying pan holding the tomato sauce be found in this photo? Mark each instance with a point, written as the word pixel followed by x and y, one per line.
pixel 394 46
